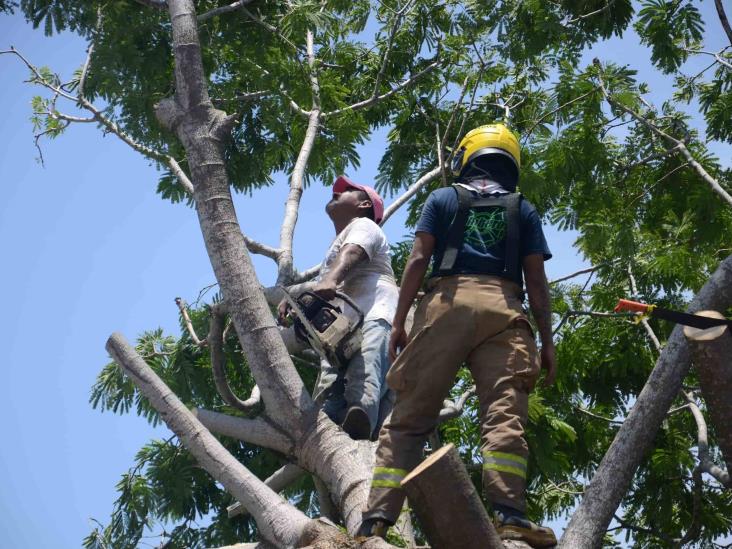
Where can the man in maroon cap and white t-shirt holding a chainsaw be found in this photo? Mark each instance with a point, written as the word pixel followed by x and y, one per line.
pixel 358 264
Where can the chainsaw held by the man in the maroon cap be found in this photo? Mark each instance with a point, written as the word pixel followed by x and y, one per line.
pixel 325 327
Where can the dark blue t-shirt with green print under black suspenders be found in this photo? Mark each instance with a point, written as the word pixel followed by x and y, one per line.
pixel 484 245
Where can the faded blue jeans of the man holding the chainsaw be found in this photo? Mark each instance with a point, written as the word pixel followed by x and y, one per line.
pixel 361 383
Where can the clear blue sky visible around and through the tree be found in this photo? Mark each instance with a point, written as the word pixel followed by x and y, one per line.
pixel 90 249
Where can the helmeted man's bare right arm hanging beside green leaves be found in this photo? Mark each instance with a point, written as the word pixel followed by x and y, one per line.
pixel 541 308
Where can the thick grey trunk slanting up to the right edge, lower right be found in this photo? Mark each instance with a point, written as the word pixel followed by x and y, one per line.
pixel 615 473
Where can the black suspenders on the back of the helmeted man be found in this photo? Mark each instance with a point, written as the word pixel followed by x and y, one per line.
pixel 456 232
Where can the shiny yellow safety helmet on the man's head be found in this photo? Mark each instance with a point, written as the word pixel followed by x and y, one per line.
pixel 485 140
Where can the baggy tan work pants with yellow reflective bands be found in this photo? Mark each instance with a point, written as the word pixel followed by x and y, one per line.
pixel 473 319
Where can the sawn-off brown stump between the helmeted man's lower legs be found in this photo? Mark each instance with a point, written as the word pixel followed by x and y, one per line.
pixel 447 505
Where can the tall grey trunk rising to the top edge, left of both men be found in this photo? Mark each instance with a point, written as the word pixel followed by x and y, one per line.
pixel 203 131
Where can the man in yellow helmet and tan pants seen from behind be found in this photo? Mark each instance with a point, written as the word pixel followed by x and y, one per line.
pixel 483 239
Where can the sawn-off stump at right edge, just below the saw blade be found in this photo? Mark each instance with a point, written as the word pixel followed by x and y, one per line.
pixel 712 357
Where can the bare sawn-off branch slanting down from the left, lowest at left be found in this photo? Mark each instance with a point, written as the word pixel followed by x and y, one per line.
pixel 277 520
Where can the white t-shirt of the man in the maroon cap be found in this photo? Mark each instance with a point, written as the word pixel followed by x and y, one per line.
pixel 370 283
